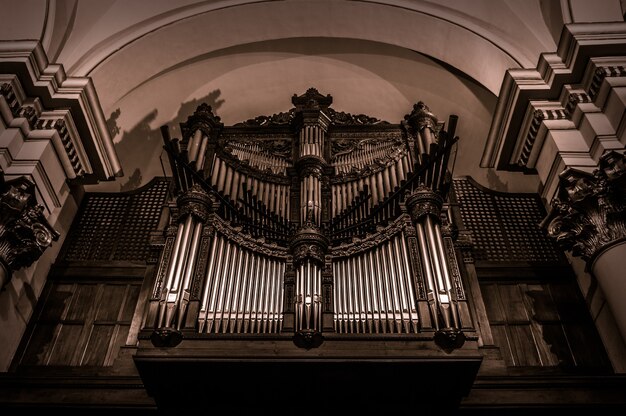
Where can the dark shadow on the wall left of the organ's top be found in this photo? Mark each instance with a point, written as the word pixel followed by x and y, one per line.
pixel 138 147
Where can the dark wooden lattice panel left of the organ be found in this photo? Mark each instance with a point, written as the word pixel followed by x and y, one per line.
pixel 116 226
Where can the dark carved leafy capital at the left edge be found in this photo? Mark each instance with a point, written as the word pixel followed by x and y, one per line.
pixel 24 231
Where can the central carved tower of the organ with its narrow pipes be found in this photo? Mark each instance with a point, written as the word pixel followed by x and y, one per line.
pixel 309 244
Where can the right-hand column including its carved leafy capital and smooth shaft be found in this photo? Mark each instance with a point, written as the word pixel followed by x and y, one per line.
pixel 588 219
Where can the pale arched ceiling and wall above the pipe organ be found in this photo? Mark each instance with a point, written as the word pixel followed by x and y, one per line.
pixel 153 61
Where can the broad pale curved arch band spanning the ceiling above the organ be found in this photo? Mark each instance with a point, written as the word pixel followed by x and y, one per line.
pixel 154 45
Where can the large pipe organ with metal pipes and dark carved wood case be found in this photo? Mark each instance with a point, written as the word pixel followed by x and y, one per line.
pixel 310 223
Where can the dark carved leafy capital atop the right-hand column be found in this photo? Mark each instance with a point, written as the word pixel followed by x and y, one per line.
pixel 588 212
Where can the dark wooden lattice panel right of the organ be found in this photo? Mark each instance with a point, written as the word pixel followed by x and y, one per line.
pixel 505 228
